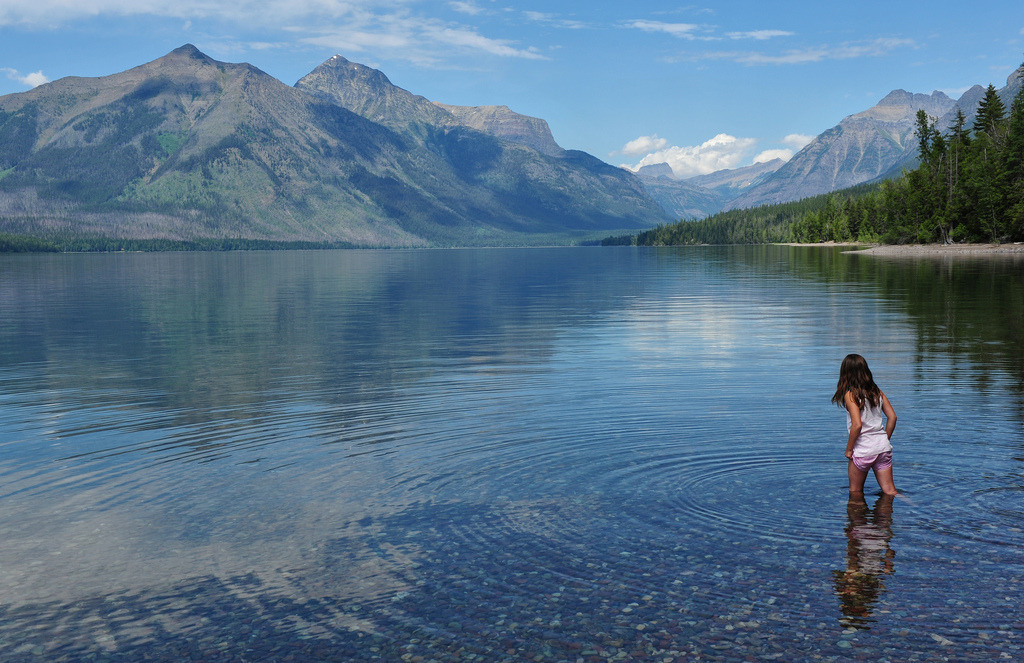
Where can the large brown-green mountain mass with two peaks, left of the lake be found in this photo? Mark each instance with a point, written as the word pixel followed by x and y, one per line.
pixel 188 148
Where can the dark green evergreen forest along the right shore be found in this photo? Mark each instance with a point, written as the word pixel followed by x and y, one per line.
pixel 968 187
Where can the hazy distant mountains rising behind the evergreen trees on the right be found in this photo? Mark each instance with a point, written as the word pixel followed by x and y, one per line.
pixel 873 145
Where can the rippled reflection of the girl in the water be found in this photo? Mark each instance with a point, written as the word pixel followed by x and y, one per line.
pixel 869 558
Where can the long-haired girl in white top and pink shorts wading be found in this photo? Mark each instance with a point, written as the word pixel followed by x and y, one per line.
pixel 868 446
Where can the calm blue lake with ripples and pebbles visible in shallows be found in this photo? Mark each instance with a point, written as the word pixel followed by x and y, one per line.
pixel 561 454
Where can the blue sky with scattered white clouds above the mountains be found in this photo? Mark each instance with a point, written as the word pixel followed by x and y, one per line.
pixel 708 87
